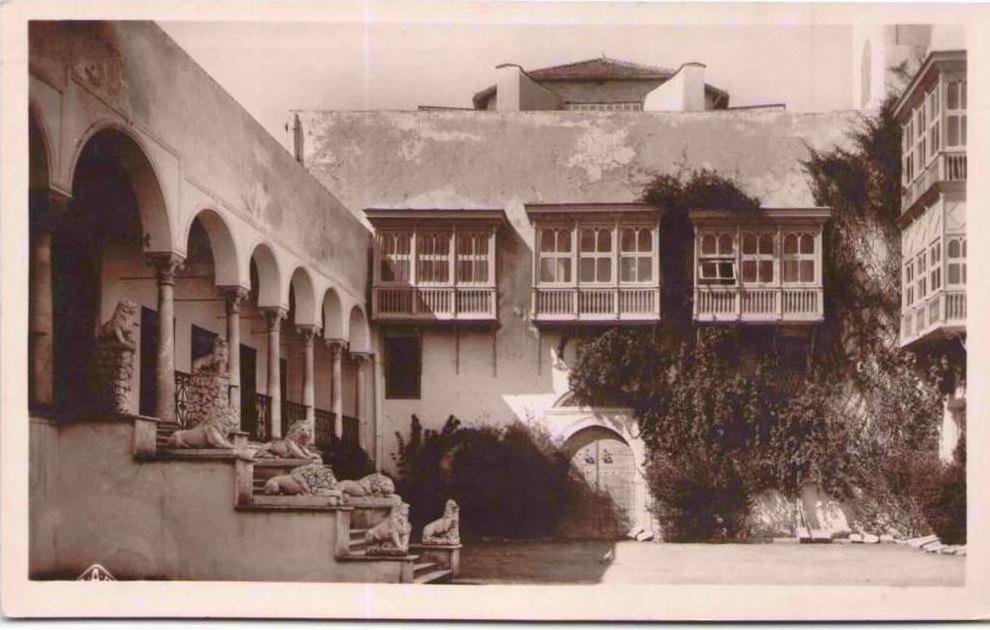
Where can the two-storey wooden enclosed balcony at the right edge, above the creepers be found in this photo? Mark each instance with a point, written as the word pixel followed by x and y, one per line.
pixel 932 113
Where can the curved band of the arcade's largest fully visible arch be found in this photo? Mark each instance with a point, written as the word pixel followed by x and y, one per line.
pixel 156 217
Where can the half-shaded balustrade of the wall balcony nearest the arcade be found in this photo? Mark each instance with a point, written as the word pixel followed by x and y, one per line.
pixel 424 304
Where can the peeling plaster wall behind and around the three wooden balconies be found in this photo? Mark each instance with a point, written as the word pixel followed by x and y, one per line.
pixel 487 159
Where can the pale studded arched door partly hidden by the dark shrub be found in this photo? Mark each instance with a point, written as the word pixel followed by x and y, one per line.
pixel 606 462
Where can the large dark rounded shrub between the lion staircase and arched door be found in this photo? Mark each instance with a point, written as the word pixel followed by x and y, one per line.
pixel 510 482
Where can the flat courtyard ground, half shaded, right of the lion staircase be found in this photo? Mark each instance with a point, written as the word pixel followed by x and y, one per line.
pixel 668 563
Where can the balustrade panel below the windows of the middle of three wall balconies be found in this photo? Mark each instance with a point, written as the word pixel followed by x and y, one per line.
pixel 594 304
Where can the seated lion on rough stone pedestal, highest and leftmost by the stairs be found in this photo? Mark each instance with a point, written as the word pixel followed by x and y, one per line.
pixel 113 361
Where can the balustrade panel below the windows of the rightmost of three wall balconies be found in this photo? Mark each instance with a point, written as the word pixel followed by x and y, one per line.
pixel 770 305
